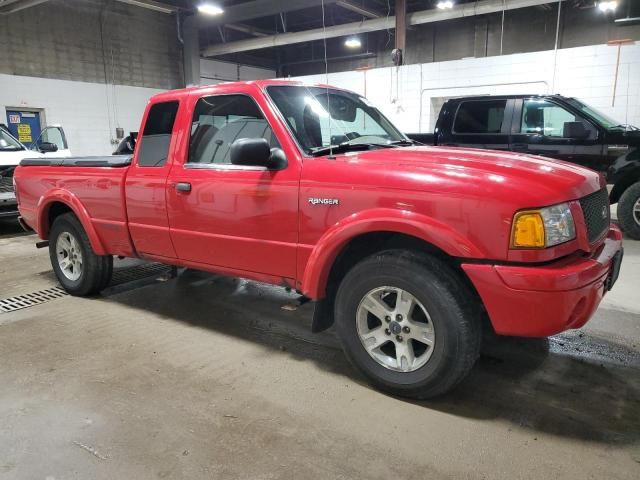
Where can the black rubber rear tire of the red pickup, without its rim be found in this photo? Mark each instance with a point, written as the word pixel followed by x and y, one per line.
pixel 96 270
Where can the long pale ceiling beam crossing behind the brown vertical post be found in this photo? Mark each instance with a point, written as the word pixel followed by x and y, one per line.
pixel 482 7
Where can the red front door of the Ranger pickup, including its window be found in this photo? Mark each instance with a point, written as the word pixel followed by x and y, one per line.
pixel 237 217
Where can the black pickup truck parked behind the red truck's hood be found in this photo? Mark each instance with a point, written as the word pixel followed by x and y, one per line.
pixel 553 126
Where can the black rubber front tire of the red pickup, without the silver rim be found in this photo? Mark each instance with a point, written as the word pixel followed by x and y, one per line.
pixel 453 309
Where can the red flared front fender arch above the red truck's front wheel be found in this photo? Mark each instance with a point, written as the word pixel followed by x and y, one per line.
pixel 325 252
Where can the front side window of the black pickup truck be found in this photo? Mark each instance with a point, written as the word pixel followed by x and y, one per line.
pixel 546 118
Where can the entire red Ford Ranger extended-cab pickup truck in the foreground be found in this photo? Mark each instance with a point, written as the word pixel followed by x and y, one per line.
pixel 405 249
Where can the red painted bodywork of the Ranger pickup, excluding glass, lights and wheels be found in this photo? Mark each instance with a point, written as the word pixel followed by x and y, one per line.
pixel 260 224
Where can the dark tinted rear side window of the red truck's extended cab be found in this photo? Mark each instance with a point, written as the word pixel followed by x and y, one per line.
pixel 156 136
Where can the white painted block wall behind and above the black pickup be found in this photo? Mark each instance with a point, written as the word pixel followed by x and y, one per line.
pixel 412 94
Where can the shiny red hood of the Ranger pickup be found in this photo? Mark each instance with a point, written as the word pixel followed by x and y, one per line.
pixel 537 180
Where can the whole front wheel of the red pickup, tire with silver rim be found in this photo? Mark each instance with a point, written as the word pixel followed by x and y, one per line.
pixel 452 315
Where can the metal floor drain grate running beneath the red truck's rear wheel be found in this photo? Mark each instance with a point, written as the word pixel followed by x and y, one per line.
pixel 121 276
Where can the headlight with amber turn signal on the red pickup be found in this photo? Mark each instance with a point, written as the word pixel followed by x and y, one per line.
pixel 543 227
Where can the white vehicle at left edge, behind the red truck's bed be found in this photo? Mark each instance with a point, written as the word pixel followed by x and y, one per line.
pixel 51 143
